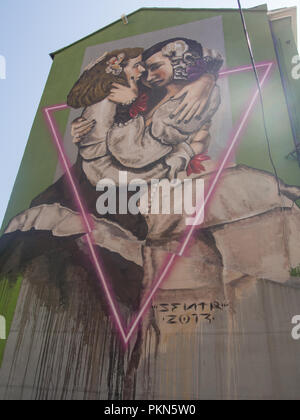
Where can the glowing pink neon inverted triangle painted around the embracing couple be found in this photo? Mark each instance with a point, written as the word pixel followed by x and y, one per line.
pixel 171 259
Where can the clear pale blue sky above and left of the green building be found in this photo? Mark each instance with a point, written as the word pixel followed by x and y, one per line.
pixel 29 31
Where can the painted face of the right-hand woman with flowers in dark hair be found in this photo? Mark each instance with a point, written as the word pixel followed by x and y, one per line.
pixel 159 71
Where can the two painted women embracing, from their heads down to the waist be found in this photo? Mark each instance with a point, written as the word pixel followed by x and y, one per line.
pixel 157 122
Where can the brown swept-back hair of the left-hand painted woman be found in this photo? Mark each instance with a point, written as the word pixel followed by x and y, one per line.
pixel 95 83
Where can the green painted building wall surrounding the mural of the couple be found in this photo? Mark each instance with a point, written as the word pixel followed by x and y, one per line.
pixel 40 160
